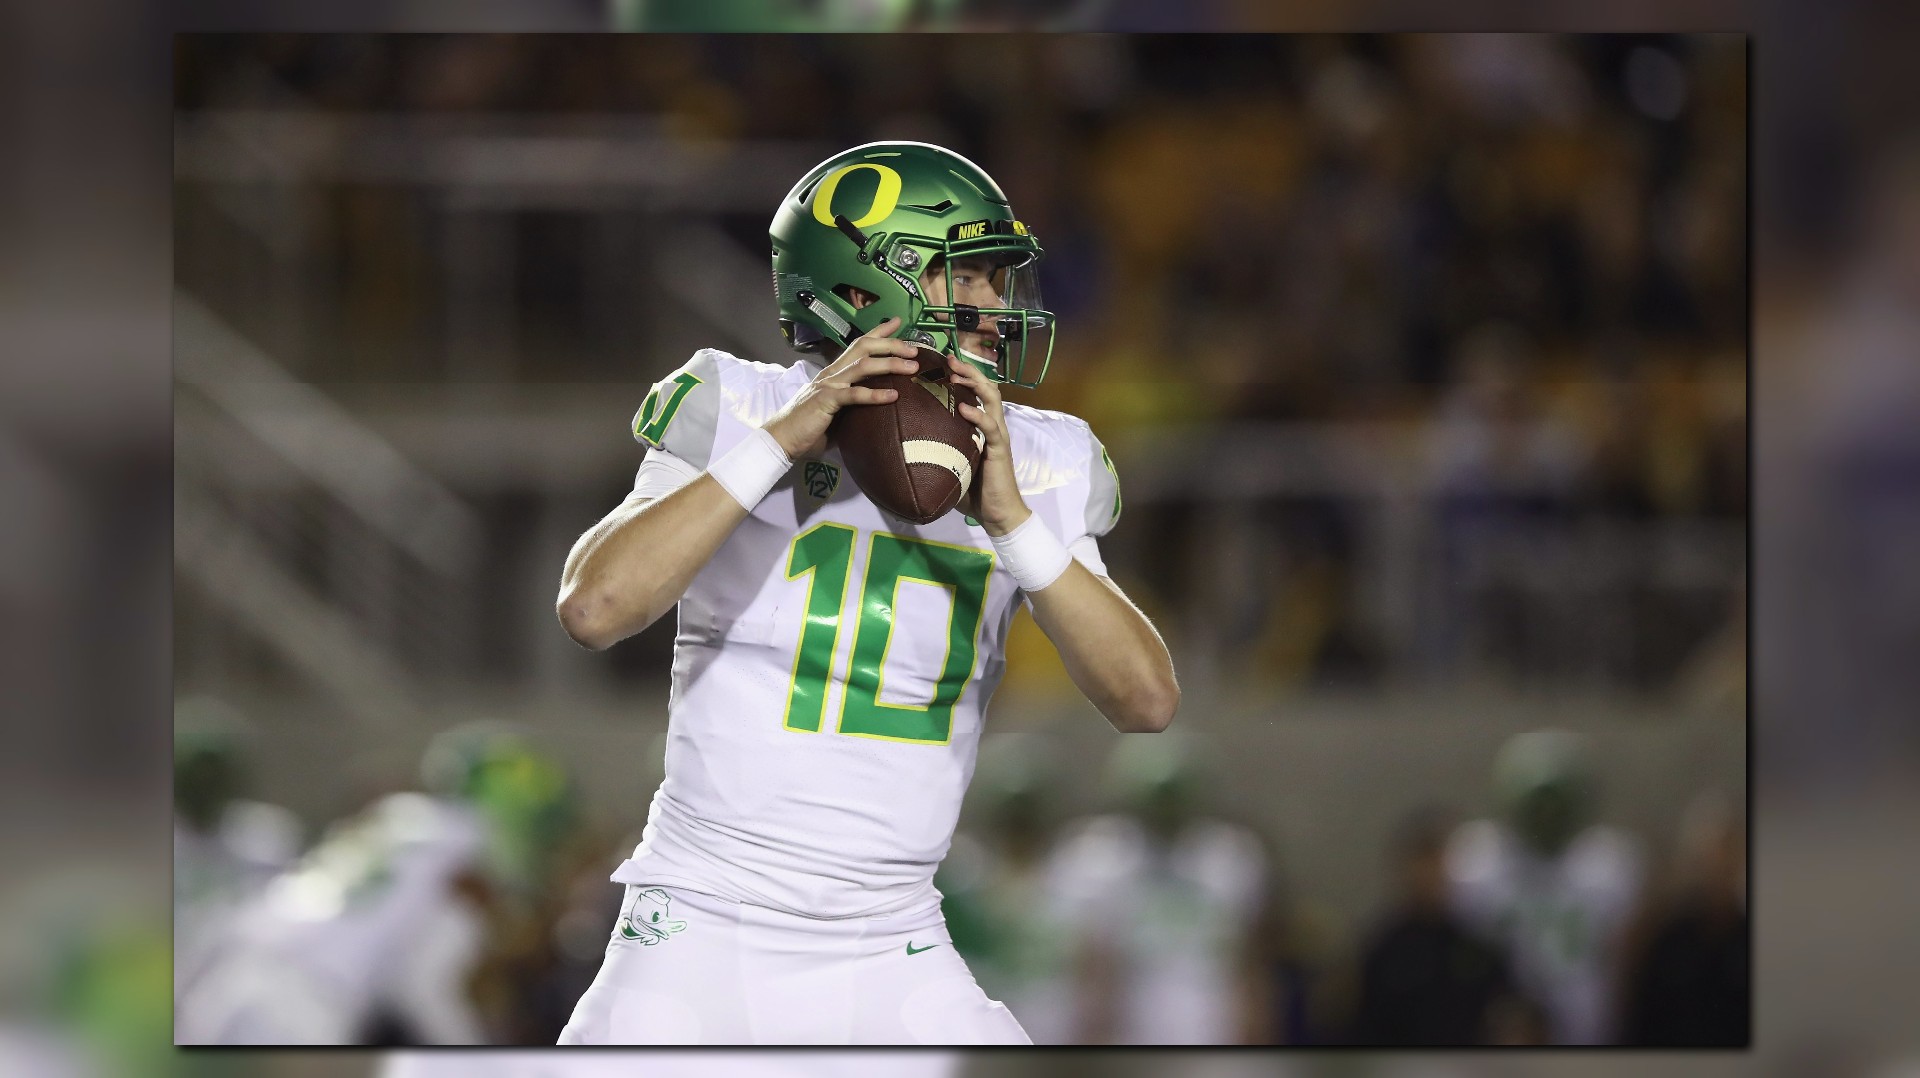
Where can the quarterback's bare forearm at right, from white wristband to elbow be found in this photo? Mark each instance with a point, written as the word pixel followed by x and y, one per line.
pixel 1111 650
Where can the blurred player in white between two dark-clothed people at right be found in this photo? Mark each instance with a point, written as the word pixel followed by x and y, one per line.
pixel 1554 889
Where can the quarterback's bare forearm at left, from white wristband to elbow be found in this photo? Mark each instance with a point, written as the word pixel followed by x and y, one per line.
pixel 636 564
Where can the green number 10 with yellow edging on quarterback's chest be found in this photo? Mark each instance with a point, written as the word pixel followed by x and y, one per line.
pixel 825 556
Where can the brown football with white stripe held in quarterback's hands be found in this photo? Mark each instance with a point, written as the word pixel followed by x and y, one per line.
pixel 917 454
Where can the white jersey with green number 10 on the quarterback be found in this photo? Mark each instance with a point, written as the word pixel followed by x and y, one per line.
pixel 834 662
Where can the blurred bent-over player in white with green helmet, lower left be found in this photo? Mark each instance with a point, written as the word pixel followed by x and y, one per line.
pixel 377 935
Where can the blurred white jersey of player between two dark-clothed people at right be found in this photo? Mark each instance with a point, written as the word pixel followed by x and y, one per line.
pixel 1560 919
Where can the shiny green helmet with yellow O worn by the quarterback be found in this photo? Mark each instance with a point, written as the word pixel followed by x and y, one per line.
pixel 876 218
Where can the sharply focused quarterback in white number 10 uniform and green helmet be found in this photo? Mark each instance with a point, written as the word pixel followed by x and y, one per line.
pixel 834 664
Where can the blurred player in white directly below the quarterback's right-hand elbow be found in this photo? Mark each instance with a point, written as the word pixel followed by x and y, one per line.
pixel 1164 902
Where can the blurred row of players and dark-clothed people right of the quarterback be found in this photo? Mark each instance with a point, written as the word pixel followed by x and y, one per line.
pixel 1168 918
